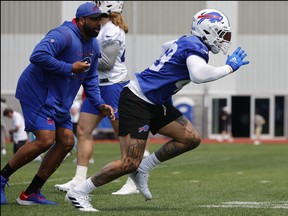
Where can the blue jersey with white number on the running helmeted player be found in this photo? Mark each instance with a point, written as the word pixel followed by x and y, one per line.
pixel 169 74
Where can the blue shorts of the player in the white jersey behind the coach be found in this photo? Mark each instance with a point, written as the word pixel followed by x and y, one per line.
pixel 110 94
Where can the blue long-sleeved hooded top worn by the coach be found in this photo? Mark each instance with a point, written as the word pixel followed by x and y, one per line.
pixel 48 80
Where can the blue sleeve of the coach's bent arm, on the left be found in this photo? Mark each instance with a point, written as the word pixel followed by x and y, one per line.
pixel 45 53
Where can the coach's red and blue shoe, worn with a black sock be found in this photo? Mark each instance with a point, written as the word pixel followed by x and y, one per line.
pixel 33 199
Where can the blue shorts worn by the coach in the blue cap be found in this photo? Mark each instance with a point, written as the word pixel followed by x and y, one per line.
pixel 39 120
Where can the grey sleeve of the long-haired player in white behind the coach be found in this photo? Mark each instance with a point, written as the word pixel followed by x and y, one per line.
pixel 109 55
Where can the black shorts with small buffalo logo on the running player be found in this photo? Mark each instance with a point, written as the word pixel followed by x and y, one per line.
pixel 137 117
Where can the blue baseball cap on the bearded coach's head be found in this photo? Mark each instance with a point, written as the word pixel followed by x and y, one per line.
pixel 89 9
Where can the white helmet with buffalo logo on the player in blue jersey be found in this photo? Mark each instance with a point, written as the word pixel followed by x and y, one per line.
pixel 213 27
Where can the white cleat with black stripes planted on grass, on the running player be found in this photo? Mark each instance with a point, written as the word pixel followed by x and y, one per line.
pixel 81 202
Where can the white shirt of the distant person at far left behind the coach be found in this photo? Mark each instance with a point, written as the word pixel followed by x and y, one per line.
pixel 18 121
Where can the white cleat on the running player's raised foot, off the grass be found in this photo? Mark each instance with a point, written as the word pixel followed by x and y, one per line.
pixel 141 181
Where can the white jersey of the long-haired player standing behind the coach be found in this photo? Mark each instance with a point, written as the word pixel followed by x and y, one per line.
pixel 111 33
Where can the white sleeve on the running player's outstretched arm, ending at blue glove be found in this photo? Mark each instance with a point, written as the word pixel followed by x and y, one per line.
pixel 201 72
